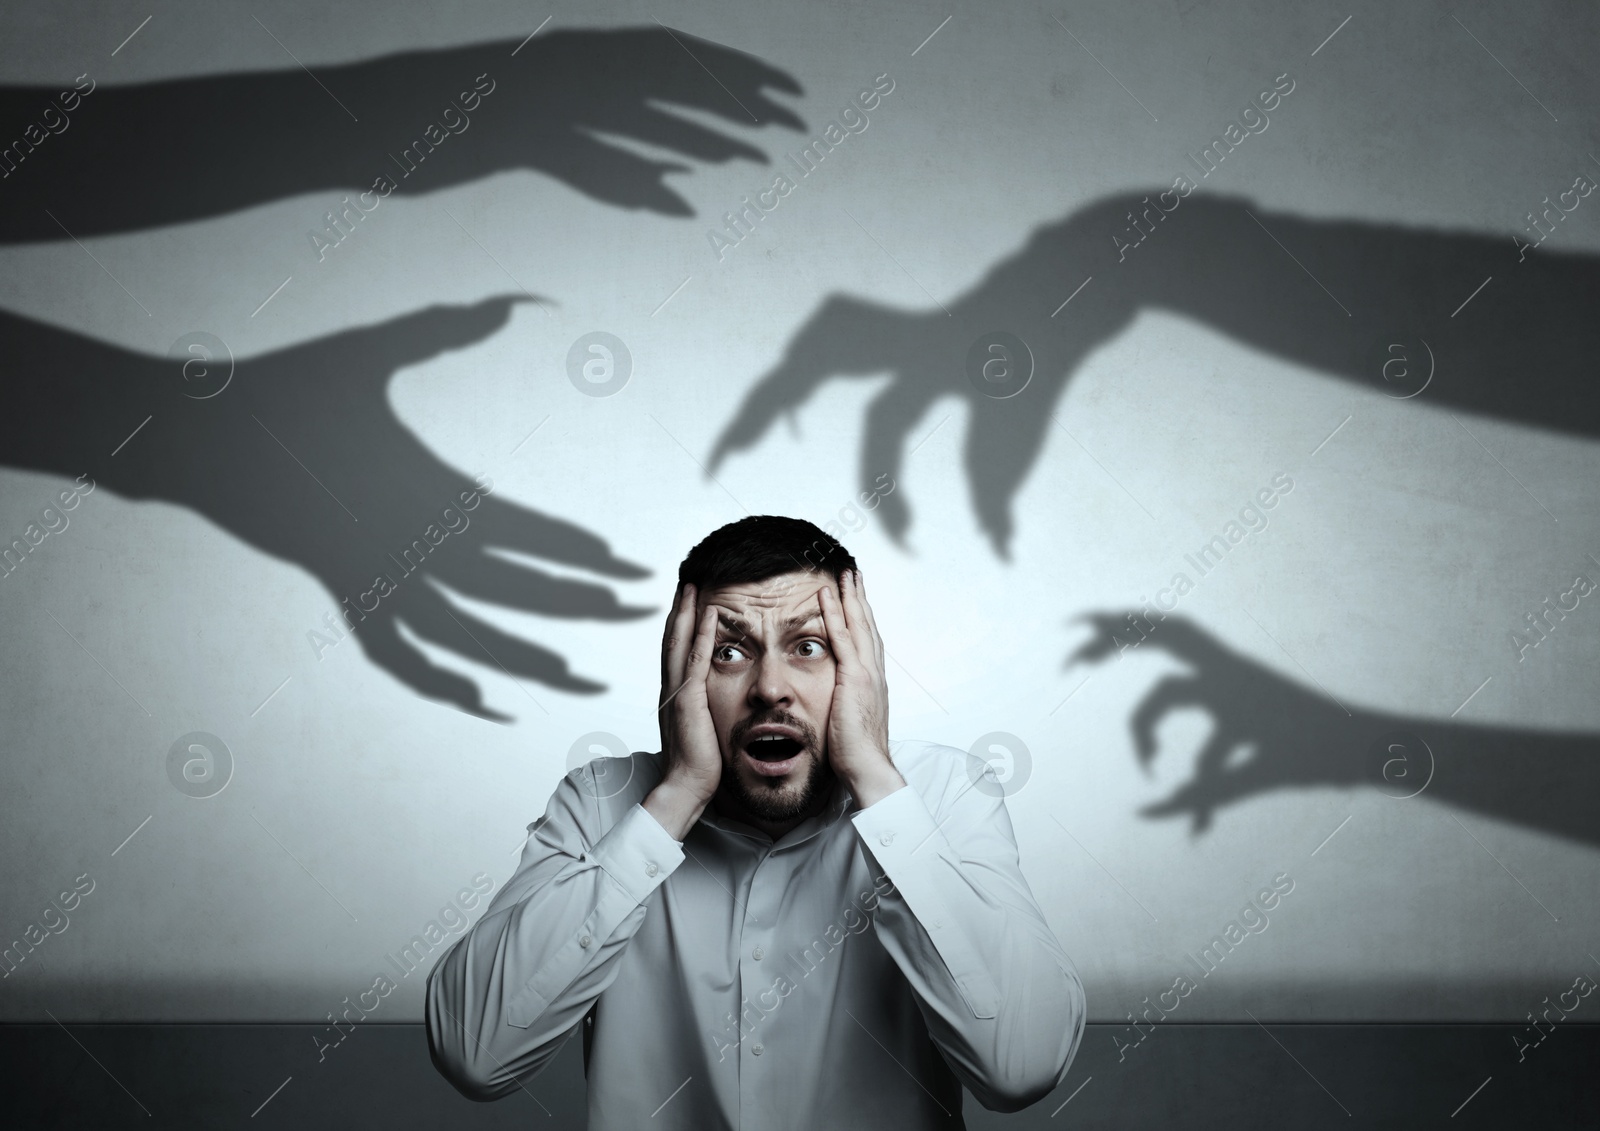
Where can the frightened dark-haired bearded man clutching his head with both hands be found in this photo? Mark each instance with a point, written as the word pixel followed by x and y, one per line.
pixel 783 919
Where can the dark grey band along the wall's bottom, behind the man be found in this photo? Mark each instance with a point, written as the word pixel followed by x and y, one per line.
pixel 1182 1076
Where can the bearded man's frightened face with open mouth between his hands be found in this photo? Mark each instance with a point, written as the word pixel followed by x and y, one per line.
pixel 770 689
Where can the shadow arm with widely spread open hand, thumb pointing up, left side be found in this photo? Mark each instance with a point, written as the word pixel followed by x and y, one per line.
pixel 302 457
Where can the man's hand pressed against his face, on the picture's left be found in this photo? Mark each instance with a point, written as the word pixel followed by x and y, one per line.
pixel 689 738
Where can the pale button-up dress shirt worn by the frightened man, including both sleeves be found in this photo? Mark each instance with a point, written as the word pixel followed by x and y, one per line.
pixel 849 975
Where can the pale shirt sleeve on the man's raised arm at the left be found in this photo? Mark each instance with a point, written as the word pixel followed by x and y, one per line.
pixel 511 991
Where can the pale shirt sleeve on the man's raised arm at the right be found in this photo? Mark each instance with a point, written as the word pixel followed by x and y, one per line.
pixel 1002 1001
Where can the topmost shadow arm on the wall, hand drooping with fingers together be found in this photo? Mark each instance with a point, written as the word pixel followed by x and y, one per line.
pixel 118 159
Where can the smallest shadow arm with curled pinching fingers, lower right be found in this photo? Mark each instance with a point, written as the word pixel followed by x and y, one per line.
pixel 1295 738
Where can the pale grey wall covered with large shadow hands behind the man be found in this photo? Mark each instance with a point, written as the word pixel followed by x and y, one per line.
pixel 1246 338
